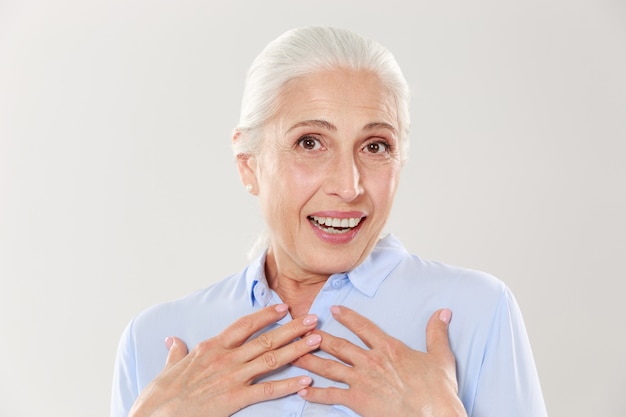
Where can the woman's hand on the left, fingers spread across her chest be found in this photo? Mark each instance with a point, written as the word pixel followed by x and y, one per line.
pixel 217 376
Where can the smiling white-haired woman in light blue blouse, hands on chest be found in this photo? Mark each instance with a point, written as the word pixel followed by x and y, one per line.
pixel 331 320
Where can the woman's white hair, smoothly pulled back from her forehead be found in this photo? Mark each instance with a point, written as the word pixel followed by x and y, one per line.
pixel 304 51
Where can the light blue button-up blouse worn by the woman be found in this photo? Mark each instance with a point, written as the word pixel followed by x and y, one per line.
pixel 396 290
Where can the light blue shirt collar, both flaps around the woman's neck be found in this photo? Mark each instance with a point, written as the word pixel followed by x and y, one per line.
pixel 366 277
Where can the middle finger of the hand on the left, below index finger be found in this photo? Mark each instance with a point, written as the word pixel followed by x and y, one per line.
pixel 278 337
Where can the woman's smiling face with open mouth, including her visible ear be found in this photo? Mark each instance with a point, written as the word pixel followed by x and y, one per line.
pixel 328 172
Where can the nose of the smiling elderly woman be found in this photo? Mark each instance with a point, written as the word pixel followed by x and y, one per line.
pixel 344 179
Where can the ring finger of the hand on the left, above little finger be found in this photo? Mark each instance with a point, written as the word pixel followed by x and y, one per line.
pixel 274 359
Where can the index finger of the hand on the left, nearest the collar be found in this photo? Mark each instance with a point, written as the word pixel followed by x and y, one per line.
pixel 241 330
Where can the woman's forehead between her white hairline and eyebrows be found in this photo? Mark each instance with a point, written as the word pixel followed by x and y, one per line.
pixel 338 95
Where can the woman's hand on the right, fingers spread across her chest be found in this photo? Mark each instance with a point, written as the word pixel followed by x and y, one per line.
pixel 390 378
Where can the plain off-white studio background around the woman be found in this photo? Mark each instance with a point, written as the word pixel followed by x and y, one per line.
pixel 118 189
